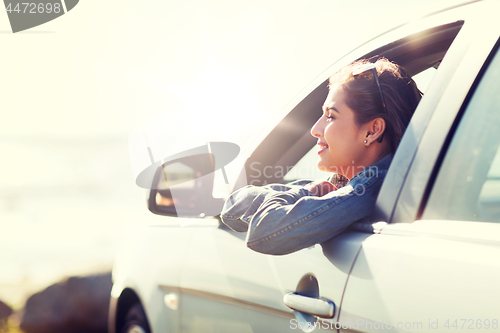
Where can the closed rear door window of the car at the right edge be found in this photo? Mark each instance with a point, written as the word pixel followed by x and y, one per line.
pixel 467 187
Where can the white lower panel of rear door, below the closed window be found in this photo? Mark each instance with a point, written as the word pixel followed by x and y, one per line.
pixel 416 277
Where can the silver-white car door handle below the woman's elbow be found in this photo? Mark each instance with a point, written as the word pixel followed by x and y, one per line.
pixel 319 307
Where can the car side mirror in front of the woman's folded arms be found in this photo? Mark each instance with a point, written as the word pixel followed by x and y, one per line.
pixel 183 188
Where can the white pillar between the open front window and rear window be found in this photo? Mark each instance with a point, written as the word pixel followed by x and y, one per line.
pixel 429 150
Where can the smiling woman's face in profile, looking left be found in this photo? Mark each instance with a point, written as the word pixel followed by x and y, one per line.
pixel 341 147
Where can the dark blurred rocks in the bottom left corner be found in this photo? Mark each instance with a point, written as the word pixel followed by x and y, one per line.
pixel 74 305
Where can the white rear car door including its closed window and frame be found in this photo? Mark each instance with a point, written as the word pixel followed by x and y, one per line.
pixel 435 266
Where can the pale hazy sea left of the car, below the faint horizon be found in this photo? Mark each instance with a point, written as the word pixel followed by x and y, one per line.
pixel 65 204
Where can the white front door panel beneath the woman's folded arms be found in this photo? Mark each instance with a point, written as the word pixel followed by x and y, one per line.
pixel 241 289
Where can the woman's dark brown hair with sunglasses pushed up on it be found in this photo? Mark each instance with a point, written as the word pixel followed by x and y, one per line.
pixel 362 95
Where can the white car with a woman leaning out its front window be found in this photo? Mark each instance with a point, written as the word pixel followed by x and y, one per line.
pixel 427 261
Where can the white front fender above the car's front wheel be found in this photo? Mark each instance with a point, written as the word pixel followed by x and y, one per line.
pixel 148 268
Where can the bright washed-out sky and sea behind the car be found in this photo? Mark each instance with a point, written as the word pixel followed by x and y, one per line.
pixel 72 90
